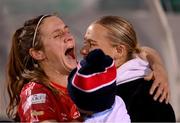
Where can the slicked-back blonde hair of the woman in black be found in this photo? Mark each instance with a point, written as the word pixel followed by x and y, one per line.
pixel 120 31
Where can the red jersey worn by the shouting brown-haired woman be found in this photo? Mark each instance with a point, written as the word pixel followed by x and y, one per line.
pixel 37 103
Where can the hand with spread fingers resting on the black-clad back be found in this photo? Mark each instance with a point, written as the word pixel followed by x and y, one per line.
pixel 160 84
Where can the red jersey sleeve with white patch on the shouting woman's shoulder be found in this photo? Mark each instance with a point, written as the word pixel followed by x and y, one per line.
pixel 37 103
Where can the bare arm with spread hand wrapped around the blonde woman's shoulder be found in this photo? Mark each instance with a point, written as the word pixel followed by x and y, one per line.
pixel 159 74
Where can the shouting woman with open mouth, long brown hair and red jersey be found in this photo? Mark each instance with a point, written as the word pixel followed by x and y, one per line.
pixel 41 58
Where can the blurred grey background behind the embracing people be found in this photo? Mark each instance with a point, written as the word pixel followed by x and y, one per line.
pixel 157 23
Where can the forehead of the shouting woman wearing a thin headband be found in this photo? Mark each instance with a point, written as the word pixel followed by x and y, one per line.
pixel 50 24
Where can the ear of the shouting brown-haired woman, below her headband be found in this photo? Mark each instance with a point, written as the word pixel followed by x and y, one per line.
pixel 37 54
